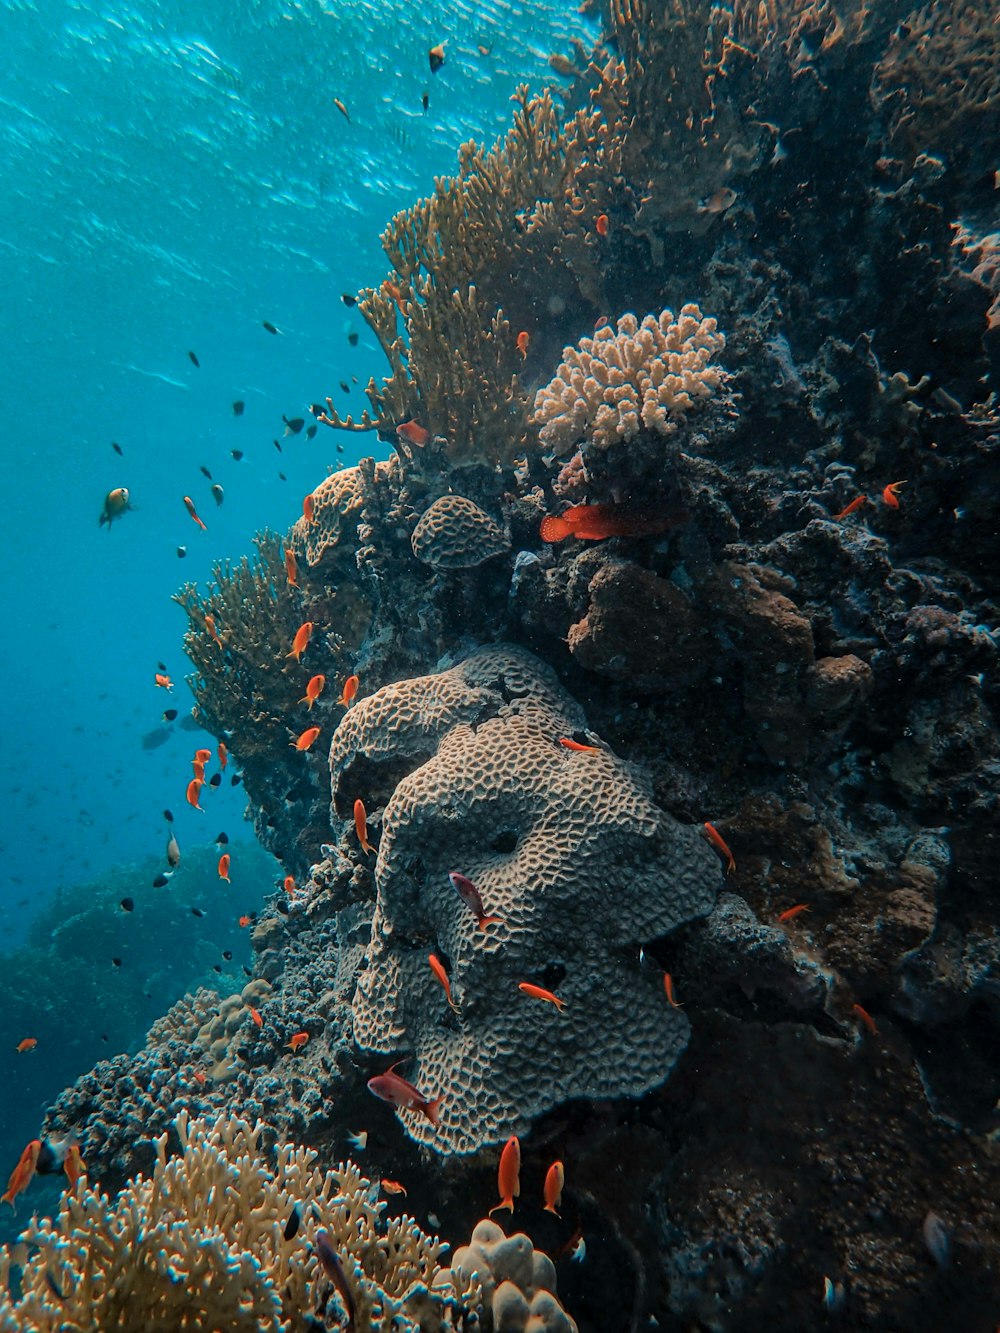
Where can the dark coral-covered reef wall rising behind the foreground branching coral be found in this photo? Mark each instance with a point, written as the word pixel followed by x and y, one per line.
pixel 637 566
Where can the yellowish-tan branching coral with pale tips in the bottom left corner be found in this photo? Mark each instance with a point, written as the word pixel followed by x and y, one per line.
pixel 202 1244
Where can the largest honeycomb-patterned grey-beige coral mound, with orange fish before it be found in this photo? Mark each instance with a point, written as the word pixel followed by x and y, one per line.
pixel 566 847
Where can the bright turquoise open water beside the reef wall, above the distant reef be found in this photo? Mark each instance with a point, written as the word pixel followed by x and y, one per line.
pixel 169 183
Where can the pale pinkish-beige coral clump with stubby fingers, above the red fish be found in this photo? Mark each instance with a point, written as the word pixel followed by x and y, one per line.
pixel 642 375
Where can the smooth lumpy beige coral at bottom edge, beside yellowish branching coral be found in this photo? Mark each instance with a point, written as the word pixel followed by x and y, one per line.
pixel 519 1283
